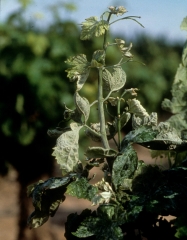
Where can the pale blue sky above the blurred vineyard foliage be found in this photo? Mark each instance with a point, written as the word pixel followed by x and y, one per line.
pixel 161 18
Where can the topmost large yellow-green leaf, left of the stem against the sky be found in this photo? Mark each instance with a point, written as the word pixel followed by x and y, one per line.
pixel 93 28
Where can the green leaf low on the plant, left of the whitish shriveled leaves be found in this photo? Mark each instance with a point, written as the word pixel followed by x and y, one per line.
pixel 81 189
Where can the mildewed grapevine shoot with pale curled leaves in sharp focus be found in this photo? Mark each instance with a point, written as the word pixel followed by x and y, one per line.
pixel 131 194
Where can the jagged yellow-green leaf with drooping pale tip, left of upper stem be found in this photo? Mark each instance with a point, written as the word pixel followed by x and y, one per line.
pixel 79 70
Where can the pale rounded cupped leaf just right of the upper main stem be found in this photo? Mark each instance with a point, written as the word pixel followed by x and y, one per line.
pixel 114 81
